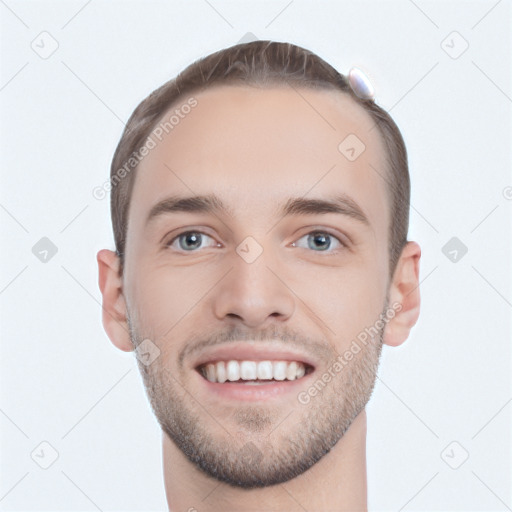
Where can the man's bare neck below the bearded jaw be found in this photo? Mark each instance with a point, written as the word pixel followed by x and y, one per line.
pixel 335 482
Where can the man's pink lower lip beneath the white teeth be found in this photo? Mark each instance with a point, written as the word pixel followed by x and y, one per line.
pixel 256 392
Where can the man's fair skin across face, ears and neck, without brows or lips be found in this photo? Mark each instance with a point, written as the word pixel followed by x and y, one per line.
pixel 255 148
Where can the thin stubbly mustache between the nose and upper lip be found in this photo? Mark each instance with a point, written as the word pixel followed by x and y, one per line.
pixel 283 336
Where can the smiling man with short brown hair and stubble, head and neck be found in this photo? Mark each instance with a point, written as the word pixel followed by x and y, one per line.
pixel 260 210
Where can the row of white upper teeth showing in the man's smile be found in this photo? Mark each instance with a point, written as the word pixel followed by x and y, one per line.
pixel 253 370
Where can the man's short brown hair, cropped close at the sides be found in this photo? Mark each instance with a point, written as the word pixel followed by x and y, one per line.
pixel 265 64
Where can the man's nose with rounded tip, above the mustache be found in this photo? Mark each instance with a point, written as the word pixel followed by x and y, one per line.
pixel 254 294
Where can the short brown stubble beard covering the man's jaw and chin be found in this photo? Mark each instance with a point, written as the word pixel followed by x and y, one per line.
pixel 260 445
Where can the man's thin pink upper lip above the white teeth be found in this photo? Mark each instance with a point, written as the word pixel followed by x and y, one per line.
pixel 257 352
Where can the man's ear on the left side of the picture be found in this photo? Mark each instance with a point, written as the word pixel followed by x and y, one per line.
pixel 114 305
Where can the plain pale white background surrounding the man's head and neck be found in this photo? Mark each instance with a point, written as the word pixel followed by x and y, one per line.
pixel 63 382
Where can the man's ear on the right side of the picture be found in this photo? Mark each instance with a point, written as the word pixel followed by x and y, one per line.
pixel 404 290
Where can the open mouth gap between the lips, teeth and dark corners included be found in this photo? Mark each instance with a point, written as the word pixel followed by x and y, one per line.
pixel 253 372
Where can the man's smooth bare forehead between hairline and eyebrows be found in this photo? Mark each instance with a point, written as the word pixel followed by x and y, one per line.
pixel 256 147
